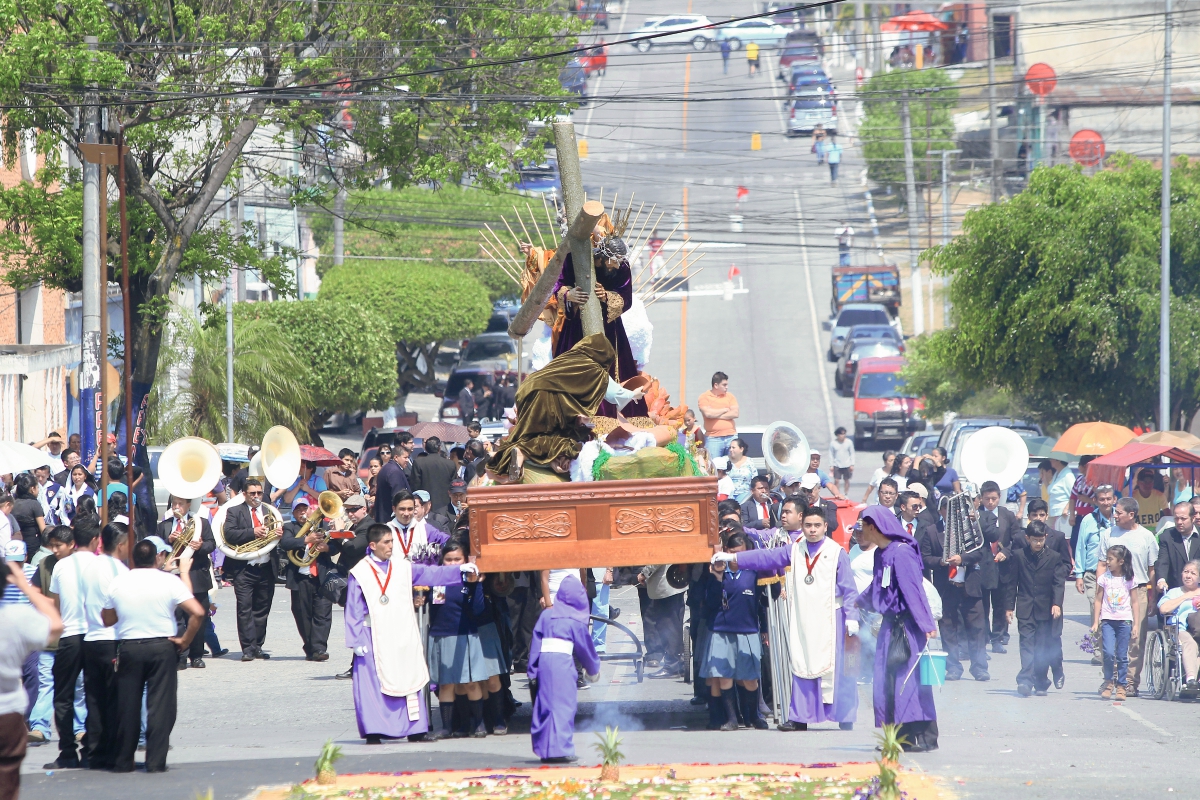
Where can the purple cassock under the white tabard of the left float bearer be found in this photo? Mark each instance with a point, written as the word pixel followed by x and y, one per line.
pixel 381 714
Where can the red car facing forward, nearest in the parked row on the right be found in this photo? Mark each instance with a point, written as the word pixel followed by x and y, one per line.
pixel 884 410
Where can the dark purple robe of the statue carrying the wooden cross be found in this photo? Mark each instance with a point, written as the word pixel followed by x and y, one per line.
pixel 619 284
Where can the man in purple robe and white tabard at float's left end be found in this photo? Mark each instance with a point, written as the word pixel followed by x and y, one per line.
pixel 381 627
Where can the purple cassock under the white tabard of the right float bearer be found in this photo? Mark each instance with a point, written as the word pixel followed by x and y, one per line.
pixel 807 705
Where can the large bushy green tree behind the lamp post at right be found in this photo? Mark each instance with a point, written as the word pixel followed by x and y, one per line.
pixel 1057 299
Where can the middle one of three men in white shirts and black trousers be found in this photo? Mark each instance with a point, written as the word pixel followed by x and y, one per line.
pixel 100 649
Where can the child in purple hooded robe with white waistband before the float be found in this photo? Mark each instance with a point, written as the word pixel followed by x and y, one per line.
pixel 560 637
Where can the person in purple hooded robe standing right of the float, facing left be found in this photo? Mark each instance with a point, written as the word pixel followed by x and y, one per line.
pixel 898 594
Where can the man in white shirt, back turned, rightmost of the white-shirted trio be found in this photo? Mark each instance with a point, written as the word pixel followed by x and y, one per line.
pixel 141 605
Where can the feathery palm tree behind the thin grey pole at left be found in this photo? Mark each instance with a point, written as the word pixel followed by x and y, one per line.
pixel 268 381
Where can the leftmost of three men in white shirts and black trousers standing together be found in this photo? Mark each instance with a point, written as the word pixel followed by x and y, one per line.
pixel 68 586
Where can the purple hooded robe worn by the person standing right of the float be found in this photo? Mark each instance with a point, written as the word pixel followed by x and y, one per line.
pixel 899 695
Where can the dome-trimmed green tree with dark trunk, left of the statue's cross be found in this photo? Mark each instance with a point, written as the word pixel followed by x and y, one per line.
pixel 418 306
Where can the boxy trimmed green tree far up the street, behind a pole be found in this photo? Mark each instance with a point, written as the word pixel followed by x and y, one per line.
pixel 932 99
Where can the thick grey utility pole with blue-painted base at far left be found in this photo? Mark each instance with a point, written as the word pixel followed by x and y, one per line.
pixel 93 294
